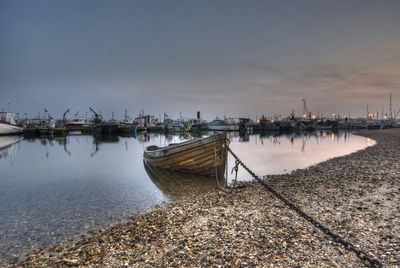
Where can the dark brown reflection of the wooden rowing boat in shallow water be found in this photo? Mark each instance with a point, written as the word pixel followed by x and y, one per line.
pixel 178 185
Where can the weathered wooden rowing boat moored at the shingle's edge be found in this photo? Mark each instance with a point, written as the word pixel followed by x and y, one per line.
pixel 201 156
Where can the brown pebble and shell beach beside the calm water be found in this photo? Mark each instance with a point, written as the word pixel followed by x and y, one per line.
pixel 357 196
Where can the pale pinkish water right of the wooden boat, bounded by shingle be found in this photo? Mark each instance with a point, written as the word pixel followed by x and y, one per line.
pixel 274 153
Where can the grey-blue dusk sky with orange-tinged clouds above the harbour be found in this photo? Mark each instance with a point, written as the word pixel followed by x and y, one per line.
pixel 233 58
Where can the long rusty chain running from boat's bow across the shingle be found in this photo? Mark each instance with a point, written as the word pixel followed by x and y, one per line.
pixel 372 261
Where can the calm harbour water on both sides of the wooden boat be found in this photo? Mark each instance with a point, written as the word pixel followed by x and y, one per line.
pixel 51 190
